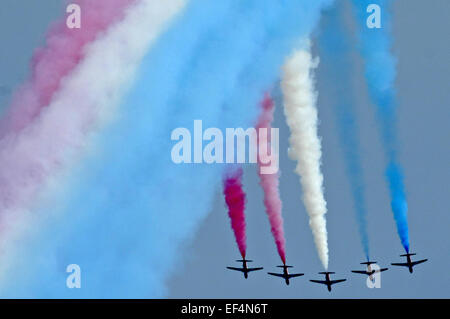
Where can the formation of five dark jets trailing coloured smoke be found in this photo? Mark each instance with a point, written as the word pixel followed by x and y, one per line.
pixel 370 270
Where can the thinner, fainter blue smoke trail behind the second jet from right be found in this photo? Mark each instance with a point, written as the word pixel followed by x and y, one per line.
pixel 335 51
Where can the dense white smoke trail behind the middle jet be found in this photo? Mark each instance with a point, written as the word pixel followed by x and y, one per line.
pixel 301 114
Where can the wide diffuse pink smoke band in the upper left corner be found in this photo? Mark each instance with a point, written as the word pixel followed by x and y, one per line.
pixel 51 64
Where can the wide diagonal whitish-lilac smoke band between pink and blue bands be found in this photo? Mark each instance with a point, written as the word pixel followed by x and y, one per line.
pixel 54 140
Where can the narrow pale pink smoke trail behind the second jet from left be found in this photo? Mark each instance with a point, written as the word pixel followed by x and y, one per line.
pixel 270 182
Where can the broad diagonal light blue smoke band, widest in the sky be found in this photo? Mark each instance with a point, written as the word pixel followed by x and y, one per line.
pixel 129 209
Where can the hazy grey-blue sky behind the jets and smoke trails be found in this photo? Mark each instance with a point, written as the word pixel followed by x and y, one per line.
pixel 423 50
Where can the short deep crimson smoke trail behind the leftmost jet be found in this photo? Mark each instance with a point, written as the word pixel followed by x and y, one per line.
pixel 235 199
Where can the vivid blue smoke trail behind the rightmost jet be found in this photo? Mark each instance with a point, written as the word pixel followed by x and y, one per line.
pixel 380 74
